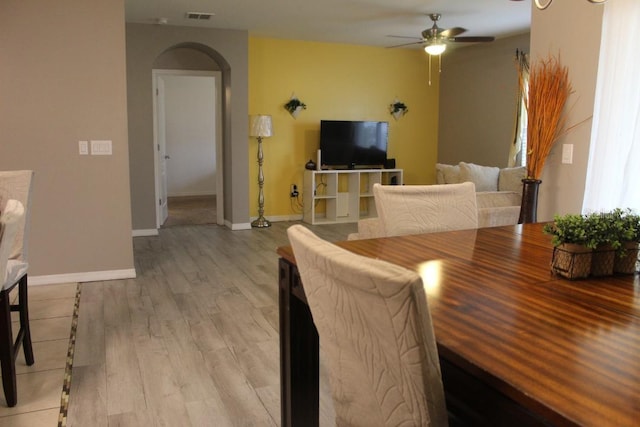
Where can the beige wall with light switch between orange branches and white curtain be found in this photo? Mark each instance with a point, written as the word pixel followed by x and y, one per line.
pixel 572 29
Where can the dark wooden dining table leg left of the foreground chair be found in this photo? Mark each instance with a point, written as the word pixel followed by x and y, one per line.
pixel 299 353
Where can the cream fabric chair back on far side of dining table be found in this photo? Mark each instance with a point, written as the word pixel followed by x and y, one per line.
pixel 414 209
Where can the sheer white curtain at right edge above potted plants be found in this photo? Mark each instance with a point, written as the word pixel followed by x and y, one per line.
pixel 613 179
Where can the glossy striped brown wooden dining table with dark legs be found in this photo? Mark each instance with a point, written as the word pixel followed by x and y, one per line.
pixel 518 345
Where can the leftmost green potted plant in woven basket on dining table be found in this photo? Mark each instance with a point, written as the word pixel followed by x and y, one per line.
pixel 573 245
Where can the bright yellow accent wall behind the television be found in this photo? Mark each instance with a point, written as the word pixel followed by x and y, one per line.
pixel 336 82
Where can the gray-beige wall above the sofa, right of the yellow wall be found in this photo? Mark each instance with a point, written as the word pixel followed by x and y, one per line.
pixel 478 88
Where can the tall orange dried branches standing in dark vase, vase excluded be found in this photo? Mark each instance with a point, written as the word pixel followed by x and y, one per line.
pixel 549 88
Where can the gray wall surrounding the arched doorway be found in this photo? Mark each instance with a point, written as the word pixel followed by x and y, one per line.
pixel 229 49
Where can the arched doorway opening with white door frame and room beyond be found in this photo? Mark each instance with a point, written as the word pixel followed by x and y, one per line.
pixel 188 141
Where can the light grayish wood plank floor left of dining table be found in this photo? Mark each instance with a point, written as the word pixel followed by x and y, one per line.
pixel 193 340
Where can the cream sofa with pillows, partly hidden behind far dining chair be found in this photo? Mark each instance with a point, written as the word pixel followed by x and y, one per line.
pixel 498 195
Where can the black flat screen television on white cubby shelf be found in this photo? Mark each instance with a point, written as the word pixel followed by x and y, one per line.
pixel 350 144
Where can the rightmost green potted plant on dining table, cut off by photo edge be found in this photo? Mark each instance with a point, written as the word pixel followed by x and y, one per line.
pixel 628 232
